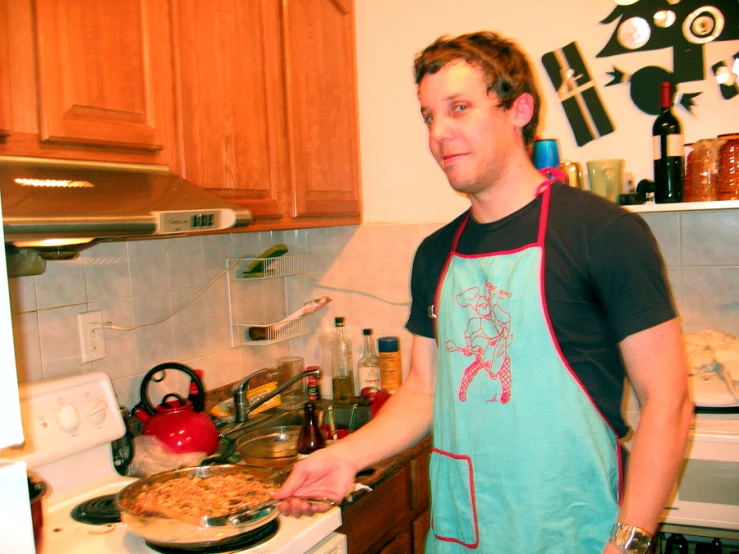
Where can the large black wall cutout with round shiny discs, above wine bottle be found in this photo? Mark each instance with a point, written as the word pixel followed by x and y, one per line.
pixel 683 25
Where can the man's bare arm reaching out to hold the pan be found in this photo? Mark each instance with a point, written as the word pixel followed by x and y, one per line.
pixel 403 421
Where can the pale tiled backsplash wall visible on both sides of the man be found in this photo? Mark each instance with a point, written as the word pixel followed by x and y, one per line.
pixel 364 269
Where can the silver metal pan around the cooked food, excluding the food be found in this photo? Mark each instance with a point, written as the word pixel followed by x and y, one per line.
pixel 207 531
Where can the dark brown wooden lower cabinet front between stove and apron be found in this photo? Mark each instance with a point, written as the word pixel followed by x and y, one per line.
pixel 372 516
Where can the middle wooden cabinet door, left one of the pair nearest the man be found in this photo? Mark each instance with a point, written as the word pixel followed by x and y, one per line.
pixel 230 91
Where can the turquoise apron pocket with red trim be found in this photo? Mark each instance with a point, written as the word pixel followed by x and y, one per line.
pixel 453 509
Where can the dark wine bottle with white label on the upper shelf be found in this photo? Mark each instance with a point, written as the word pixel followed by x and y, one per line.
pixel 669 151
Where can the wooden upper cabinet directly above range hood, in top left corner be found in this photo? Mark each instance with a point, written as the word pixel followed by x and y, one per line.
pixel 87 79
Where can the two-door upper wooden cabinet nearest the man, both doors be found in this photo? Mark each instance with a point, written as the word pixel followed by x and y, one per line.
pixel 268 107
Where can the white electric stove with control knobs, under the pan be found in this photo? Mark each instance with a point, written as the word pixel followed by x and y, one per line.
pixel 69 424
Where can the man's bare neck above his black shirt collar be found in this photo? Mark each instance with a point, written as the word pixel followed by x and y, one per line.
pixel 516 188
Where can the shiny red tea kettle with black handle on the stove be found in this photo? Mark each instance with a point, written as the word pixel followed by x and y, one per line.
pixel 177 422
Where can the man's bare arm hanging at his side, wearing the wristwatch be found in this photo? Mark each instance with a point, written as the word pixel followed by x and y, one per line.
pixel 655 363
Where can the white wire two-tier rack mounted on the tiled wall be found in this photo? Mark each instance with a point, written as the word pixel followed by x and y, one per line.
pixel 243 285
